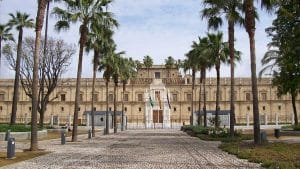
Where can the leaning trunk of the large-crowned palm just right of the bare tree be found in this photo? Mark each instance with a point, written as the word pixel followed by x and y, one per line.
pixel 83 33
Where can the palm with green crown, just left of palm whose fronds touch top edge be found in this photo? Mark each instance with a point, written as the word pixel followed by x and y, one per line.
pixel 218 54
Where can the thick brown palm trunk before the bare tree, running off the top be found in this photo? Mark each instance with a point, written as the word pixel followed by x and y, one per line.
pixel 35 80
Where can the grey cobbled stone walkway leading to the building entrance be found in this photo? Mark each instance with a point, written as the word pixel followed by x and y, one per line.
pixel 134 149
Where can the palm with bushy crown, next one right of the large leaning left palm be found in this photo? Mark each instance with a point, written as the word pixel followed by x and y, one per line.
pixel 100 40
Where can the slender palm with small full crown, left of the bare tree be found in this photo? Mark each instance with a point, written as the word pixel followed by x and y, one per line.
pixel 20 21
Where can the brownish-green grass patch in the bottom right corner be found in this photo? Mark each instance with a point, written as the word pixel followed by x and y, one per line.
pixel 271 155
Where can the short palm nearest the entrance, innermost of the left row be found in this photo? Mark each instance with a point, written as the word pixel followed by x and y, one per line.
pixel 128 67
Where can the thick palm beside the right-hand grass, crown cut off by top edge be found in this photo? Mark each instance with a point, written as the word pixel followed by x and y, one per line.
pixel 250 16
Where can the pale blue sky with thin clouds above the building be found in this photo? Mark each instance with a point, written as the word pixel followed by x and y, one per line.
pixel 158 28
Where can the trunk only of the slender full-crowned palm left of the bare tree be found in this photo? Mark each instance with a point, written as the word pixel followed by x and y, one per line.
pixel 17 79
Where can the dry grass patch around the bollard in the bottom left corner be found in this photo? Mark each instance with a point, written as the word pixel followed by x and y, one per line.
pixel 20 156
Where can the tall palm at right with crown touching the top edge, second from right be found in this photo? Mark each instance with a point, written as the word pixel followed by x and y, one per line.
pixel 213 12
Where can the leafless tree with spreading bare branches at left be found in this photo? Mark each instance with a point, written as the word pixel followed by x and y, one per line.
pixel 55 61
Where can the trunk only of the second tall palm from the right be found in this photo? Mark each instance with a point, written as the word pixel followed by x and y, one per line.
pixel 232 85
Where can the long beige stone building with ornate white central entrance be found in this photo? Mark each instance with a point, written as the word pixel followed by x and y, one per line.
pixel 156 96
